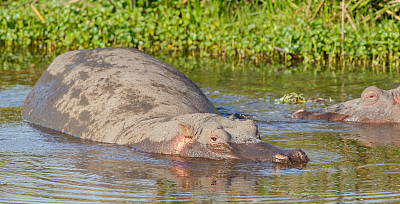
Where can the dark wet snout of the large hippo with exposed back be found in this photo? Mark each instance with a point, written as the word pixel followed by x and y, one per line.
pixel 265 152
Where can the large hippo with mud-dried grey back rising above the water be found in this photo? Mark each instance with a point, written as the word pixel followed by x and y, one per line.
pixel 125 96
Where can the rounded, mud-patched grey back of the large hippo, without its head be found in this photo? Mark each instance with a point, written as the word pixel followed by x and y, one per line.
pixel 97 94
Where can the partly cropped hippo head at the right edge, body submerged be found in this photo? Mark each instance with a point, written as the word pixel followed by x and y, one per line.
pixel 374 106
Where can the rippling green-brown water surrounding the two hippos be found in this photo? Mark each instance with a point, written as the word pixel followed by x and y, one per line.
pixel 349 162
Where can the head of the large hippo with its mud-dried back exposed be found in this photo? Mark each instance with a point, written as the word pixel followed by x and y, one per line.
pixel 215 137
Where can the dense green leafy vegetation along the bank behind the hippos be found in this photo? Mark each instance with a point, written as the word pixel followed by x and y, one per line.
pixel 261 30
